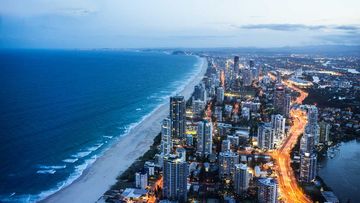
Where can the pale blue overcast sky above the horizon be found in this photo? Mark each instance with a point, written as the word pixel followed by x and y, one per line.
pixel 177 23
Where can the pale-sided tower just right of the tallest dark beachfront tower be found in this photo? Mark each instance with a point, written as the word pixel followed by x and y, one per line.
pixel 204 138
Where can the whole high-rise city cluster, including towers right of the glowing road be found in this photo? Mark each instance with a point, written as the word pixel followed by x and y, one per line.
pixel 217 144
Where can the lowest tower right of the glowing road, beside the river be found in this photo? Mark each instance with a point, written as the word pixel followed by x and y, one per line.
pixel 308 167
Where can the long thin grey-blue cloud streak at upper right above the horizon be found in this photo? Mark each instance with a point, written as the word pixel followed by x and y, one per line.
pixel 297 27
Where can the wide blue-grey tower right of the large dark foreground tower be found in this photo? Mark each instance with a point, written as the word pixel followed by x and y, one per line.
pixel 227 161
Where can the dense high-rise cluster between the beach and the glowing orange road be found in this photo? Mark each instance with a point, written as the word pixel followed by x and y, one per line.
pixel 206 143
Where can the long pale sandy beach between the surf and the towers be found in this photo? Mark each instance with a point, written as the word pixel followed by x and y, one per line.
pixel 98 178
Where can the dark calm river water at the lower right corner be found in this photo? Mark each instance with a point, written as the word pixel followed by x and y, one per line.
pixel 340 171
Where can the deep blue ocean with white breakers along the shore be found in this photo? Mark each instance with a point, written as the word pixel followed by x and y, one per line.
pixel 61 109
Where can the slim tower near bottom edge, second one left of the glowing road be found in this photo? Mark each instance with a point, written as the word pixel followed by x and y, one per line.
pixel 241 179
